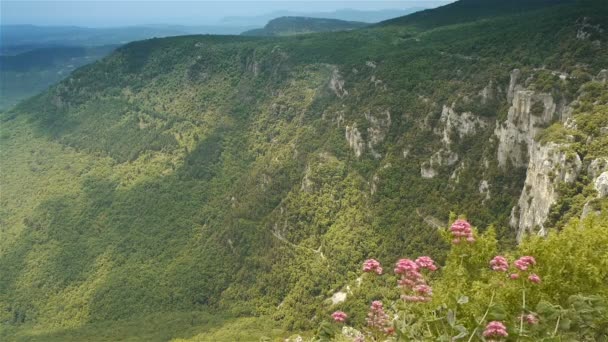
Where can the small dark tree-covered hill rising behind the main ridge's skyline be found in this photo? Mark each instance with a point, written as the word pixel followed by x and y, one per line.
pixel 287 26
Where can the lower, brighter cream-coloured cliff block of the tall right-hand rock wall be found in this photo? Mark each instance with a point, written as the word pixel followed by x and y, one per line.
pixel 549 165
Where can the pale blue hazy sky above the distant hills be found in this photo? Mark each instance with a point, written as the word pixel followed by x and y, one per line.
pixel 97 13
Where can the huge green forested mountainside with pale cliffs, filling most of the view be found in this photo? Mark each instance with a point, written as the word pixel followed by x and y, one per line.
pixel 252 176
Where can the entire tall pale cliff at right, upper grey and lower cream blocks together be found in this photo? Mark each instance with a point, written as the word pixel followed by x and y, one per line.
pixel 547 165
